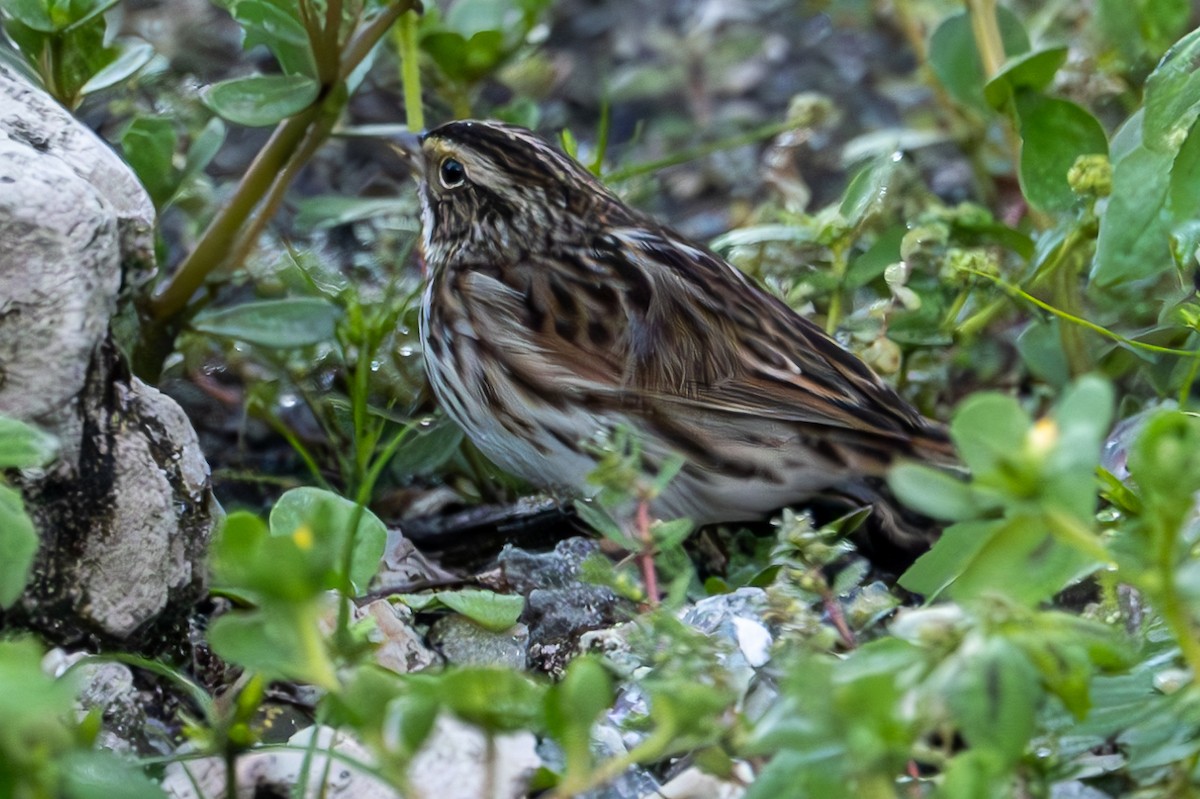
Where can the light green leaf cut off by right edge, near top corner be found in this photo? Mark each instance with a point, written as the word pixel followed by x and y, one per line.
pixel 1173 97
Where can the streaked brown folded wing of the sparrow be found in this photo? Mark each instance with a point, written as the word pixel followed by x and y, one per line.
pixel 667 343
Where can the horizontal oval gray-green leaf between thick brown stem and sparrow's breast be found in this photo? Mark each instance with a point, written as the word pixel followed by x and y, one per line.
pixel 275 325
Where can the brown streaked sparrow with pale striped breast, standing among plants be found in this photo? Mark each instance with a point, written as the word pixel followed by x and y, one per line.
pixel 555 314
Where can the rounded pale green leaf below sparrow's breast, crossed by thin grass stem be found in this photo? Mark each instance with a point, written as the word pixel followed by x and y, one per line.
pixel 331 516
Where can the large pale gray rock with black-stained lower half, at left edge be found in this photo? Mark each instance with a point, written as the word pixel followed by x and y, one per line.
pixel 127 512
